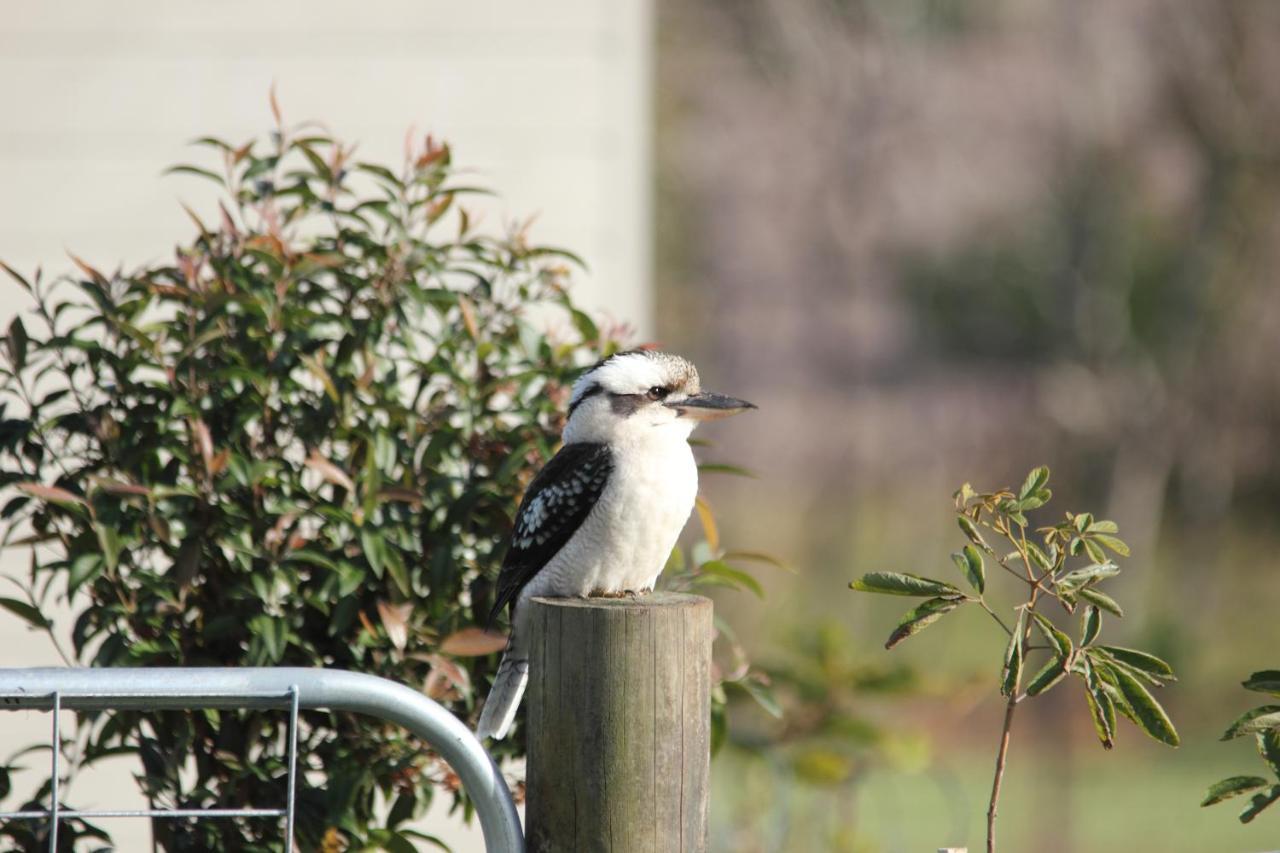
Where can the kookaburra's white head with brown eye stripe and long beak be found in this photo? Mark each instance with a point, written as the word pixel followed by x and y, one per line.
pixel 634 394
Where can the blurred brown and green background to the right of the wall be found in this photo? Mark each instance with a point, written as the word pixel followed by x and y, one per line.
pixel 941 241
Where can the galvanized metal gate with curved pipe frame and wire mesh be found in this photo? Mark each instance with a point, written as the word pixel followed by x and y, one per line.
pixel 290 688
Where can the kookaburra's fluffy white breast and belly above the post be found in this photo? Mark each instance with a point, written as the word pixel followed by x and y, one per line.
pixel 627 540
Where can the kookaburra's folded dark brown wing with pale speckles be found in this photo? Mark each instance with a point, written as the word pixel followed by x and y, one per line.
pixel 555 508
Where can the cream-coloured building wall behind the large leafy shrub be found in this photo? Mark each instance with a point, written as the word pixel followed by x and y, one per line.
pixel 547 102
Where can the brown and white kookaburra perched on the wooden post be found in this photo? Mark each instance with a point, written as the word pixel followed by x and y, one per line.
pixel 602 518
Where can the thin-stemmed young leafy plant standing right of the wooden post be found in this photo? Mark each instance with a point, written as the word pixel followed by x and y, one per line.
pixel 1066 563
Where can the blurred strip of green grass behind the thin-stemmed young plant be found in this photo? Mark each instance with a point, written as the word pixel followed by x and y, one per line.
pixel 1104 804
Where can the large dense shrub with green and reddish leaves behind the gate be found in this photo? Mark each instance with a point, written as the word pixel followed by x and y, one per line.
pixel 299 444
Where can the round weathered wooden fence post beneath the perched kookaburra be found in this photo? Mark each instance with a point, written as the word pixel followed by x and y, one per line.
pixel 619 724
